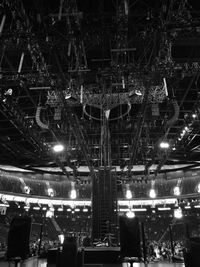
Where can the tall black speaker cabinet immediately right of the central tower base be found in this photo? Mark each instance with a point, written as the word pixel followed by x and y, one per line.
pixel 130 237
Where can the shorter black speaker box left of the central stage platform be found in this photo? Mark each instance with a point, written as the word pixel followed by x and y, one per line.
pixel 69 253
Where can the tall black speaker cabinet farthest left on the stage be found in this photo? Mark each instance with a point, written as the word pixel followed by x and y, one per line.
pixel 18 238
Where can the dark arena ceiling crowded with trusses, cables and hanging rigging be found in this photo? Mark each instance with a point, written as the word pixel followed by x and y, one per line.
pixel 109 80
